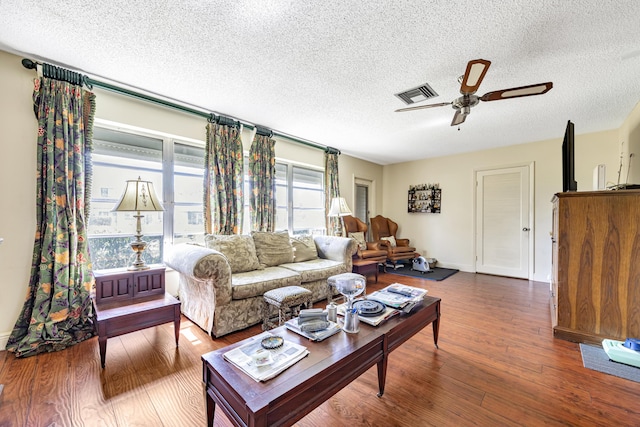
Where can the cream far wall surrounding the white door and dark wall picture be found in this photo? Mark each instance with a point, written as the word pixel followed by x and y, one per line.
pixel 449 236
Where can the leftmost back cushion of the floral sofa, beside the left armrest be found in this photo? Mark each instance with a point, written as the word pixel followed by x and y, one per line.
pixel 239 250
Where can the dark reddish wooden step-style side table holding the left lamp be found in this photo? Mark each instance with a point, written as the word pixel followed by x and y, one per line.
pixel 128 301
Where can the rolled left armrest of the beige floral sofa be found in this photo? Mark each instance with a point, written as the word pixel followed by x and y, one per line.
pixel 200 264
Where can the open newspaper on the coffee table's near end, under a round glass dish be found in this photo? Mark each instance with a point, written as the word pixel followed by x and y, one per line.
pixel 263 364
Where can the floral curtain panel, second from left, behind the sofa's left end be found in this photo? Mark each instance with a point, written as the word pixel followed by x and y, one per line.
pixel 223 198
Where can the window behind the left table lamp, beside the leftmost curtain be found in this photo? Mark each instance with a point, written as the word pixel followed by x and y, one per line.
pixel 119 156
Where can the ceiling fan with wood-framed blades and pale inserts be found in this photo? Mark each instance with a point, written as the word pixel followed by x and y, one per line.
pixel 469 83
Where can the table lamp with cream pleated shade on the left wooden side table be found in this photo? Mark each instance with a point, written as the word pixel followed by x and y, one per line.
pixel 138 196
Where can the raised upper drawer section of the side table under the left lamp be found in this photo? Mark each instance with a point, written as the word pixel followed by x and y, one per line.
pixel 121 285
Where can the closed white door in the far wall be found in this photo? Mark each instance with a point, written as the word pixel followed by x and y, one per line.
pixel 503 221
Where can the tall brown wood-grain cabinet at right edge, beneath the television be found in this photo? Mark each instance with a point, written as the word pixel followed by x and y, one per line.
pixel 595 285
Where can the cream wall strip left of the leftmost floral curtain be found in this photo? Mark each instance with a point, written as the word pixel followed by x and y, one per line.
pixel 18 133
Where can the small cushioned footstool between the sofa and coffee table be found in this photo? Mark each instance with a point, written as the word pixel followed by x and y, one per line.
pixel 287 300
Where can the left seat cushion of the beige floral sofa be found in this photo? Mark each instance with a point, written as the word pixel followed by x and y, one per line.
pixel 256 283
